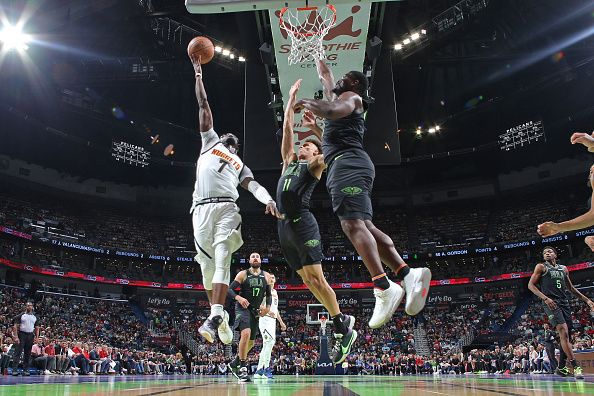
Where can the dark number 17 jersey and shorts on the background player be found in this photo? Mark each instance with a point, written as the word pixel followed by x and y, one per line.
pixel 253 289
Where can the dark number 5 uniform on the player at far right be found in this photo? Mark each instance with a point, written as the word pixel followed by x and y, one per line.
pixel 553 284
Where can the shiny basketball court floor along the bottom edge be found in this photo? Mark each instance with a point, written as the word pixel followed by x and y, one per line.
pixel 510 385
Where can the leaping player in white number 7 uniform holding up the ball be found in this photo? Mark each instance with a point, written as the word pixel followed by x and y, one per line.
pixel 215 216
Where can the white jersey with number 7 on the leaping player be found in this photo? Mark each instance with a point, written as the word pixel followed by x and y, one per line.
pixel 218 170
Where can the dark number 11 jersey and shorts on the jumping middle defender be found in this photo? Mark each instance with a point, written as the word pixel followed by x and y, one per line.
pixel 298 232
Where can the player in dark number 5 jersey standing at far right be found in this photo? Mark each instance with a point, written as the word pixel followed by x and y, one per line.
pixel 550 282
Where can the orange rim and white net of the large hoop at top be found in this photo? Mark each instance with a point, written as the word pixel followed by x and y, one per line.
pixel 307 26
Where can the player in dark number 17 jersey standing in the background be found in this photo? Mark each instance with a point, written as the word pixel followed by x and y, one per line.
pixel 255 288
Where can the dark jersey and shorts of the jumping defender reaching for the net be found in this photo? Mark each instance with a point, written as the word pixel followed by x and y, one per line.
pixel 350 170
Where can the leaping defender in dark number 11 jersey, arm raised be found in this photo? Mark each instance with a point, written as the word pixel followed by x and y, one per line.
pixel 298 230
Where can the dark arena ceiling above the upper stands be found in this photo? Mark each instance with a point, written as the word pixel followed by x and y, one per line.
pixel 518 60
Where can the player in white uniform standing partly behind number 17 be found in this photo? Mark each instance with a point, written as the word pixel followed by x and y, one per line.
pixel 268 330
